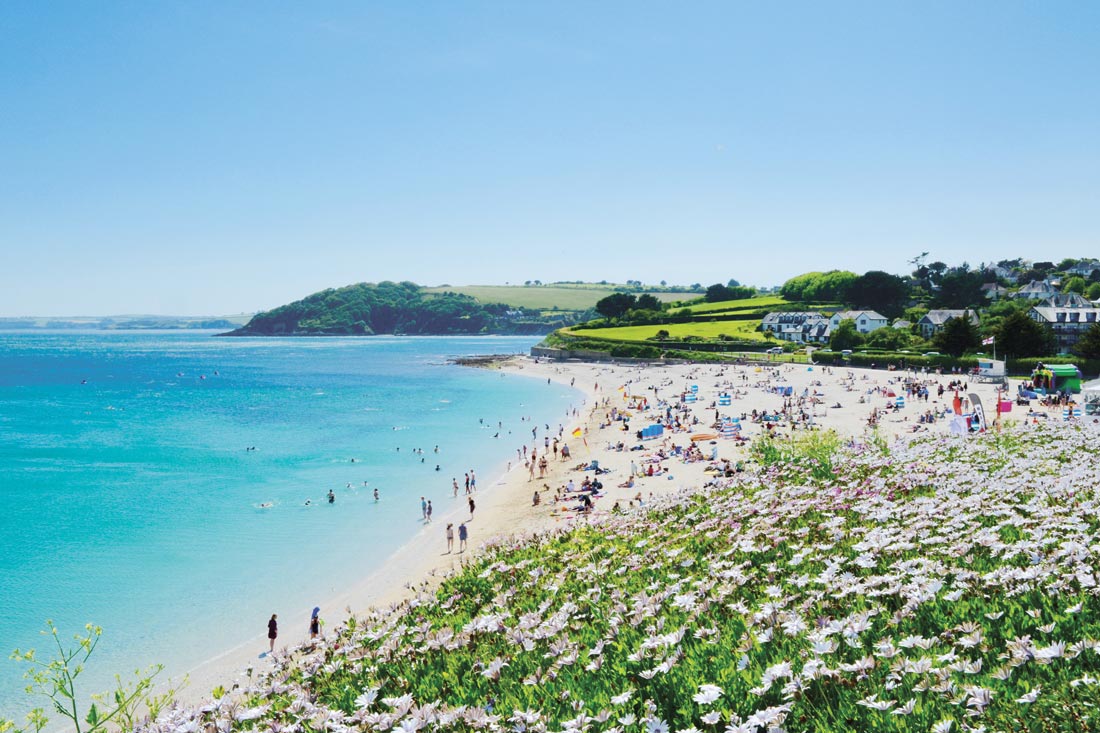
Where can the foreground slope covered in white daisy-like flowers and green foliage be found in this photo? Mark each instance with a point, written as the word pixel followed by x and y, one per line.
pixel 951 581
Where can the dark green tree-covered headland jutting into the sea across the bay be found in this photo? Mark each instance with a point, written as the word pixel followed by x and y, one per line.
pixel 387 308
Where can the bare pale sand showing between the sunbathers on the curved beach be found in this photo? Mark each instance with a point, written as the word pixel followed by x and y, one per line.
pixel 505 507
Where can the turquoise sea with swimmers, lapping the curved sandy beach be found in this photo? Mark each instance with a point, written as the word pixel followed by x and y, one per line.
pixel 131 500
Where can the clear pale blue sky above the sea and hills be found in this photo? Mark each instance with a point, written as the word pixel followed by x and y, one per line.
pixel 214 158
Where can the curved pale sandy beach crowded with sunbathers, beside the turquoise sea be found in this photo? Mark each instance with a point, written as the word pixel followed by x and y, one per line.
pixel 842 400
